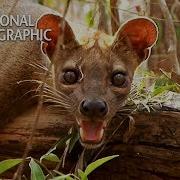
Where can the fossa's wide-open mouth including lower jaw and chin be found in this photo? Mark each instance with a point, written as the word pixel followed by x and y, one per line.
pixel 91 133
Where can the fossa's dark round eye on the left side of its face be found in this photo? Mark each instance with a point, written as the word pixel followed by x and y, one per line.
pixel 71 76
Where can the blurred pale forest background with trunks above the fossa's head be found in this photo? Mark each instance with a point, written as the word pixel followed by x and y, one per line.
pixel 85 15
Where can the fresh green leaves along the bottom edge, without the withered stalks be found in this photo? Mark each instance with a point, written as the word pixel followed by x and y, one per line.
pixel 38 174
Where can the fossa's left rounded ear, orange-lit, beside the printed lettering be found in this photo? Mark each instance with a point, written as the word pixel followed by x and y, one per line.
pixel 58 28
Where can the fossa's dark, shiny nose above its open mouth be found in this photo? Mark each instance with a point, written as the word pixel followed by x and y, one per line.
pixel 97 108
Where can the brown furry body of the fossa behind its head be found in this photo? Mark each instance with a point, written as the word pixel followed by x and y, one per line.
pixel 15 60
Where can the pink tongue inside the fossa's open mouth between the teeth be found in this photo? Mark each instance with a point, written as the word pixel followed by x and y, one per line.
pixel 91 131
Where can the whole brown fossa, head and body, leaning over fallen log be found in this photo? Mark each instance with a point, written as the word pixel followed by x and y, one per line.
pixel 91 83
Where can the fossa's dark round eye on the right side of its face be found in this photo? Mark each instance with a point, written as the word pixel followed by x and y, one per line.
pixel 118 79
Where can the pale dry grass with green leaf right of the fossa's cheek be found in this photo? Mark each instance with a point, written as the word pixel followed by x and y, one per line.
pixel 154 96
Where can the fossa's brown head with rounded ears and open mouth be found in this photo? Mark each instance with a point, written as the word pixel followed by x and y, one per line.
pixel 93 82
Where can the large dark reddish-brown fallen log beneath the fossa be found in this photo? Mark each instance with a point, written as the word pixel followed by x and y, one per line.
pixel 152 152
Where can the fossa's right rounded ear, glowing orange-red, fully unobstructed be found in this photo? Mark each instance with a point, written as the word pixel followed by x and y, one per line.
pixel 141 33
